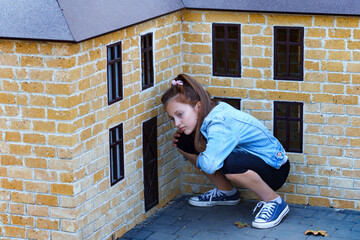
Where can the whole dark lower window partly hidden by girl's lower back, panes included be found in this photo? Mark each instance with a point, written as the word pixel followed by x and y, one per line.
pixel 288 125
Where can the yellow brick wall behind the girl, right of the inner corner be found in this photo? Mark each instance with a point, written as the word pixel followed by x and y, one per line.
pixel 327 173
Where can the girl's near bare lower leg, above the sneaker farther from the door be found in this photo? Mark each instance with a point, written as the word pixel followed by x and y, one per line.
pixel 252 181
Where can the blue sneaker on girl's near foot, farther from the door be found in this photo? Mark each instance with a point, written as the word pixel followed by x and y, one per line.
pixel 270 214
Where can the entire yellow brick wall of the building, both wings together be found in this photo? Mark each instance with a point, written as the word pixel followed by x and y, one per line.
pixel 54 120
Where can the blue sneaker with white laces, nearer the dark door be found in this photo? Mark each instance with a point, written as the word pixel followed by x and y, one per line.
pixel 214 197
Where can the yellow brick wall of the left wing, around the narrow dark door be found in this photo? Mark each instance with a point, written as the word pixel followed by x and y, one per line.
pixel 55 120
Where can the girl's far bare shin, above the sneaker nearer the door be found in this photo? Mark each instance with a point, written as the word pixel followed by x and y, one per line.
pixel 217 178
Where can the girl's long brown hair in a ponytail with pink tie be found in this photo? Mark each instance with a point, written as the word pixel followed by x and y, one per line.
pixel 189 91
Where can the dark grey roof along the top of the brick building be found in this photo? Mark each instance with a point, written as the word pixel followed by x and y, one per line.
pixel 78 20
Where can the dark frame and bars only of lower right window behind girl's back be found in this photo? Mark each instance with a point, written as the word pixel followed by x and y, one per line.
pixel 289 119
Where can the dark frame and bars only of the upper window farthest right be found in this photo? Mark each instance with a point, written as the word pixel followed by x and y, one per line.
pixel 288 43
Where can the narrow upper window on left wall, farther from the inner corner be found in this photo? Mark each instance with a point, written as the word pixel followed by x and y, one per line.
pixel 114 73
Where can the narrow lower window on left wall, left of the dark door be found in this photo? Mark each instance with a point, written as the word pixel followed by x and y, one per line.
pixel 116 154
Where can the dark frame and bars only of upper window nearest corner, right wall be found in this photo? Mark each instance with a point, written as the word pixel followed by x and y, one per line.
pixel 226 41
